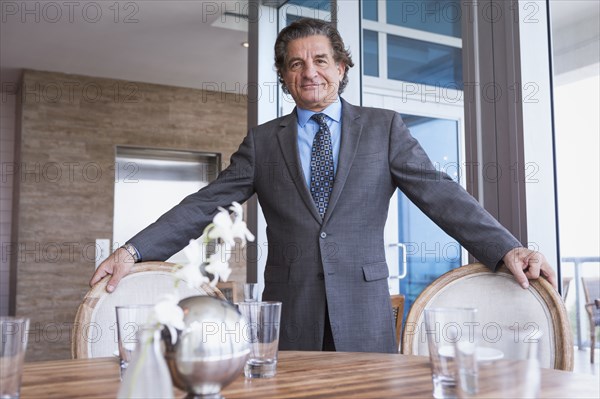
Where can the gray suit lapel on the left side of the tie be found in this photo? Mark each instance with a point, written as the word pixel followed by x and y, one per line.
pixel 288 141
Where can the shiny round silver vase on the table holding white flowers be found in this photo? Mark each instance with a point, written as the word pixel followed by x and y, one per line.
pixel 211 351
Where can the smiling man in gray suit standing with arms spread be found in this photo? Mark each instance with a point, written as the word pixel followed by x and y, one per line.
pixel 324 183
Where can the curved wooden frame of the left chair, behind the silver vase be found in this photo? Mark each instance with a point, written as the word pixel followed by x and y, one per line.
pixel 83 318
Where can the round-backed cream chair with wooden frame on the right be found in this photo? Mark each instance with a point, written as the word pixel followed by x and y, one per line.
pixel 509 317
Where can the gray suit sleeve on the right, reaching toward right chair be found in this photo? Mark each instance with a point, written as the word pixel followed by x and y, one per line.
pixel 444 201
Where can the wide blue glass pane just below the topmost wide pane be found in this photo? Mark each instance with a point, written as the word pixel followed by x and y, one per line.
pixel 423 62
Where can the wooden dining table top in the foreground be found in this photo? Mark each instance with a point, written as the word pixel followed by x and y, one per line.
pixel 299 375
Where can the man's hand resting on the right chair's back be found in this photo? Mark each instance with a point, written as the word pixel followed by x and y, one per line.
pixel 526 264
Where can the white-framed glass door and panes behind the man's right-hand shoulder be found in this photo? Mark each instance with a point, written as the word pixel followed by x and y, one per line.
pixel 412 64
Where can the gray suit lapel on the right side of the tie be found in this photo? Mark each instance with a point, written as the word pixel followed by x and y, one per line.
pixel 351 131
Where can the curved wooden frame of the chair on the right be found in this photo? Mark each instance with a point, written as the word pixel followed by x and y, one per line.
pixel 563 338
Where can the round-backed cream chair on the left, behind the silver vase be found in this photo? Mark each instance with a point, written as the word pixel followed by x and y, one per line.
pixel 94 330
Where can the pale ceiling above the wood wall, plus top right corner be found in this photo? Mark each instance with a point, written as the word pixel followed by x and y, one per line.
pixel 193 43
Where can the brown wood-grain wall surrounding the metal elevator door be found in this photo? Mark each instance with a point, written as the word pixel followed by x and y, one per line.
pixel 70 127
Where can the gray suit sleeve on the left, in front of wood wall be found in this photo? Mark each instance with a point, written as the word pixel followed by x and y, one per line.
pixel 187 220
